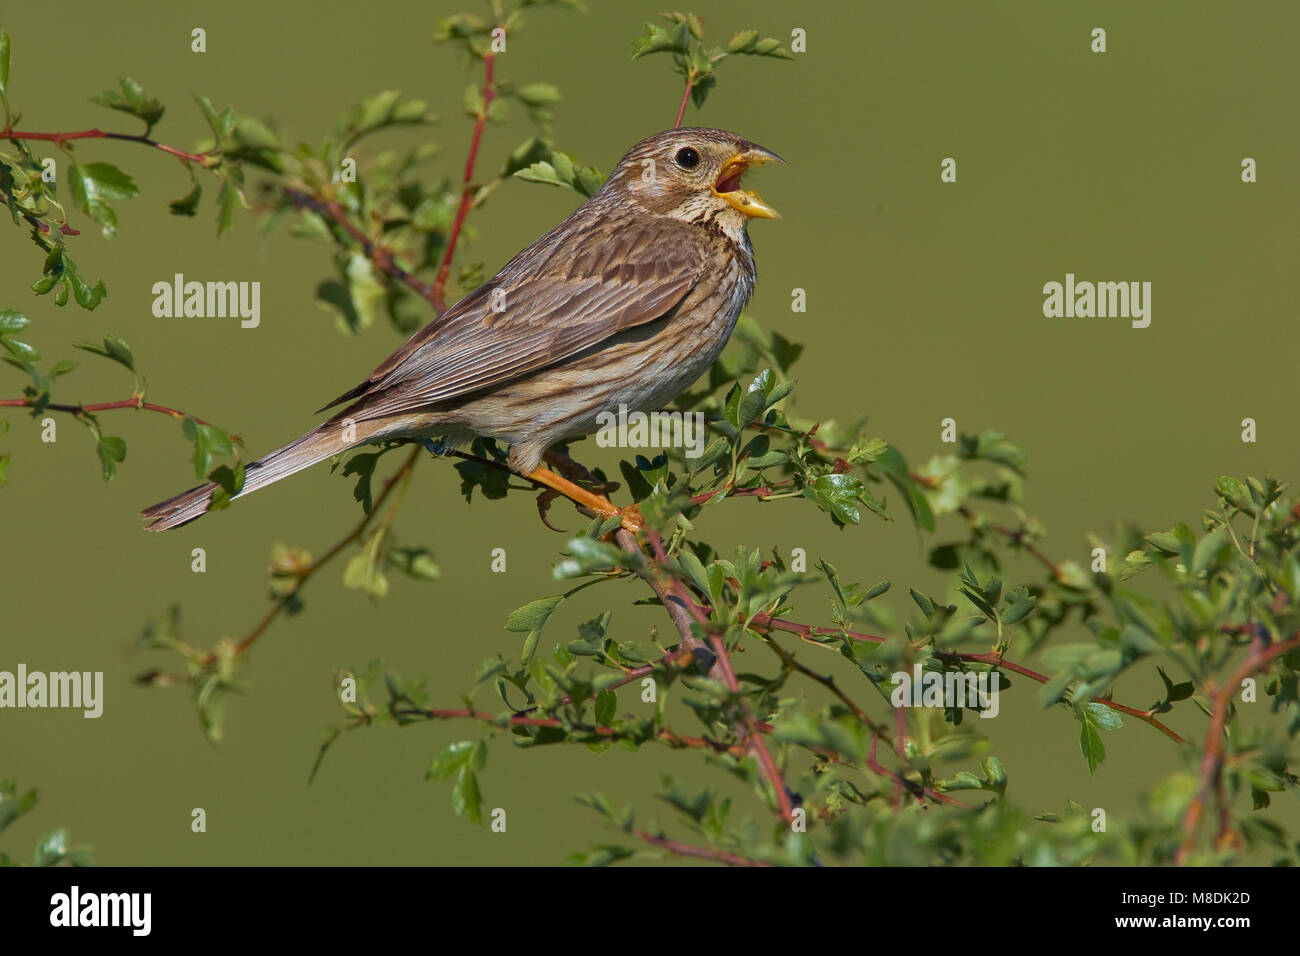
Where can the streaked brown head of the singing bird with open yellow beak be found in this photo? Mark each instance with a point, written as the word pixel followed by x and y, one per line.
pixel 695 175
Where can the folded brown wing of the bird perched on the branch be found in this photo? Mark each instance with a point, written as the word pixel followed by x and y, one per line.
pixel 562 296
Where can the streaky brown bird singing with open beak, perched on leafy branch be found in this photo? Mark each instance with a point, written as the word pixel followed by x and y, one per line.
pixel 626 302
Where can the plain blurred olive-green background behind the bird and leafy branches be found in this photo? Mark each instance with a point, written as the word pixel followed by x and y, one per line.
pixel 924 304
